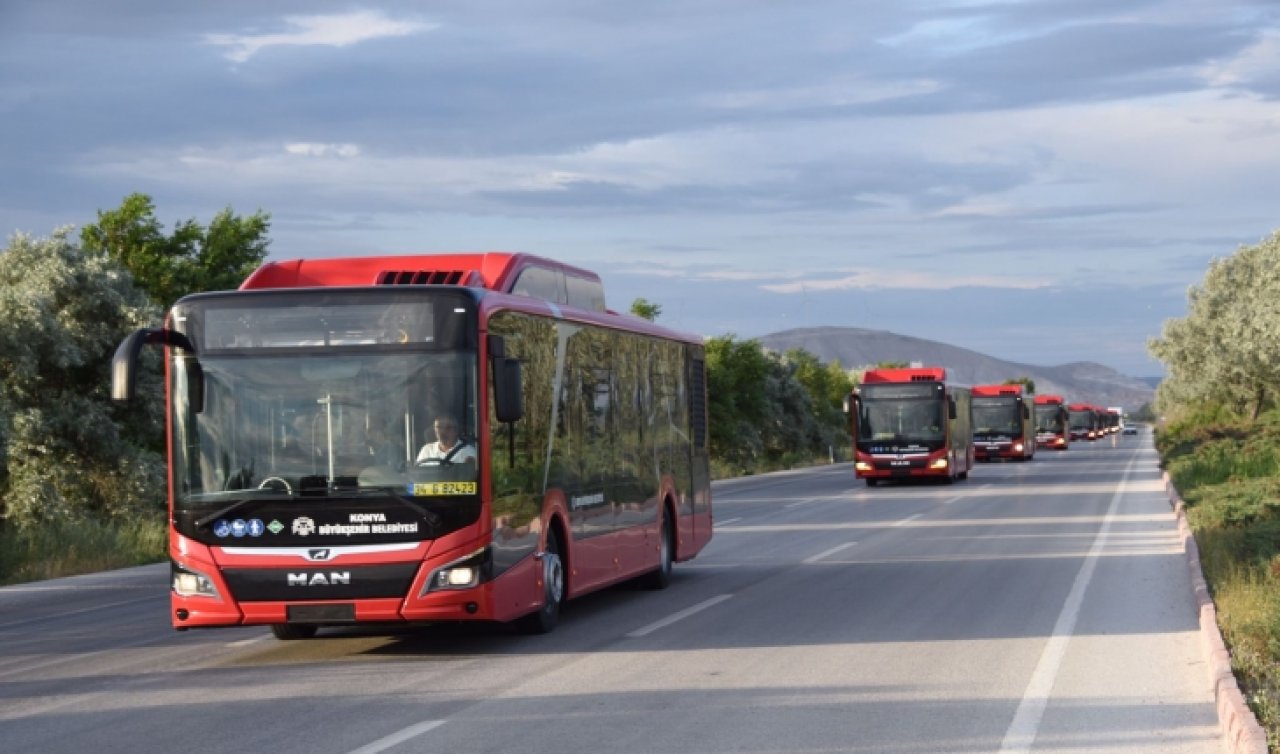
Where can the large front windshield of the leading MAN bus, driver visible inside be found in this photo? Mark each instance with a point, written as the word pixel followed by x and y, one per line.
pixel 332 397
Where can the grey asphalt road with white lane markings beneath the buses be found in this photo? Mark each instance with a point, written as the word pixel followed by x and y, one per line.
pixel 1035 607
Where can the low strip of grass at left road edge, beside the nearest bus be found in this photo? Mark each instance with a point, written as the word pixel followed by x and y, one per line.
pixel 84 547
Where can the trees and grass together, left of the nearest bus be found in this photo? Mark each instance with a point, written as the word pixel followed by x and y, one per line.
pixel 81 478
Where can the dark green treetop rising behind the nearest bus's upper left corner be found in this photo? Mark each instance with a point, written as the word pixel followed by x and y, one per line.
pixel 190 261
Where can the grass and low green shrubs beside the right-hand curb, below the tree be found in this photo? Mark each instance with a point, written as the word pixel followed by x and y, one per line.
pixel 1229 476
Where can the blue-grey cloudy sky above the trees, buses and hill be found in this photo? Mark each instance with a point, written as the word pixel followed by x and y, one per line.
pixel 1036 181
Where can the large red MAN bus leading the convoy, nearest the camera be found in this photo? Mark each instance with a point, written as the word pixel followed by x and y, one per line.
pixel 300 409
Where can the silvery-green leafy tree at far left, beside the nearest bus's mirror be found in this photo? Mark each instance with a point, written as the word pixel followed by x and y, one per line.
pixel 70 453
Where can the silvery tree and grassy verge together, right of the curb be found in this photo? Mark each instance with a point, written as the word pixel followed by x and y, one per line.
pixel 1220 445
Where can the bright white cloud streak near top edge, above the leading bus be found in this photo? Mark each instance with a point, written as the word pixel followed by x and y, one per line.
pixel 335 31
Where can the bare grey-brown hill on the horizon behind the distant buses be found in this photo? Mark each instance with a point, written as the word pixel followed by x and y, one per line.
pixel 857 348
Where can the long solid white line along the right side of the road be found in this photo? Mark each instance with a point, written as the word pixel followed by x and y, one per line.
pixel 1022 732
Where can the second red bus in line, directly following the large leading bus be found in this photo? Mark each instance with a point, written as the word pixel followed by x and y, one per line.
pixel 911 424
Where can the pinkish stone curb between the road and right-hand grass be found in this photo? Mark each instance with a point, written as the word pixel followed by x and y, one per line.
pixel 1241 729
